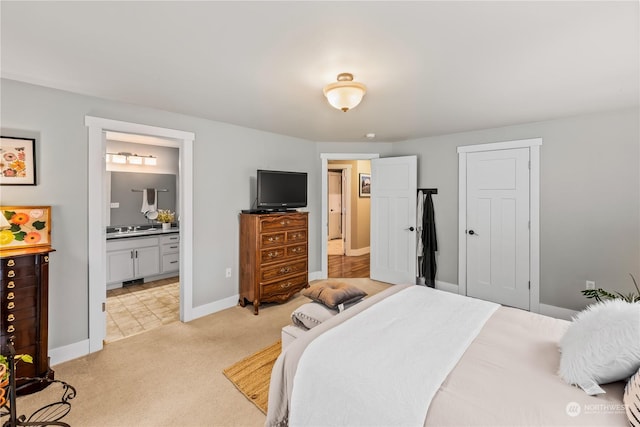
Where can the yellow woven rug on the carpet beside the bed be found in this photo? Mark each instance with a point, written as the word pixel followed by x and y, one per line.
pixel 252 374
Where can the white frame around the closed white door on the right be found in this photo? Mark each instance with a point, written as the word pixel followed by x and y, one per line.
pixel 533 145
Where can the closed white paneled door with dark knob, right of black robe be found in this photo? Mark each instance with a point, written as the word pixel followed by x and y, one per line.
pixel 497 225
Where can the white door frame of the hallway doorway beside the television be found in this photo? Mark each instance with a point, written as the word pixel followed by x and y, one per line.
pixel 324 220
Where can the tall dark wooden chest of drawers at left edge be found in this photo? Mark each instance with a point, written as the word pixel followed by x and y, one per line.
pixel 24 295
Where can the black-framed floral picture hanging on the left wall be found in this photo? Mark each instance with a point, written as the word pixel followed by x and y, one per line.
pixel 17 161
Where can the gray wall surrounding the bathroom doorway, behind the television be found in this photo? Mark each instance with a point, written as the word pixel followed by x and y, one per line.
pixel 225 159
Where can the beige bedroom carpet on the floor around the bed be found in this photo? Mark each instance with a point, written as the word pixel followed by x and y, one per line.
pixel 172 375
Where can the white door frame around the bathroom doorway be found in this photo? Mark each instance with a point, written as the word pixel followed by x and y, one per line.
pixel 182 140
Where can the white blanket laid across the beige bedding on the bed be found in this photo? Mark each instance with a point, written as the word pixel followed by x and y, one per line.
pixel 336 385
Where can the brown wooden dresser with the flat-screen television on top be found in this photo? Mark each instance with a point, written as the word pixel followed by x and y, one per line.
pixel 273 256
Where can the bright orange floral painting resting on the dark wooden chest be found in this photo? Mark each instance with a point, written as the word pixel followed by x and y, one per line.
pixel 24 226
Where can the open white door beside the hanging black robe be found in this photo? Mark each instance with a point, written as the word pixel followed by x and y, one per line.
pixel 393 219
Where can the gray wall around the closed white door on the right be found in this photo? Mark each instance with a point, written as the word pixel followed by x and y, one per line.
pixel 589 200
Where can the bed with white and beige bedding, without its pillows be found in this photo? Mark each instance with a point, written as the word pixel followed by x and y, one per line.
pixel 503 373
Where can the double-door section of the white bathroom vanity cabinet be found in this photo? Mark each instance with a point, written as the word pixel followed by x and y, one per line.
pixel 130 259
